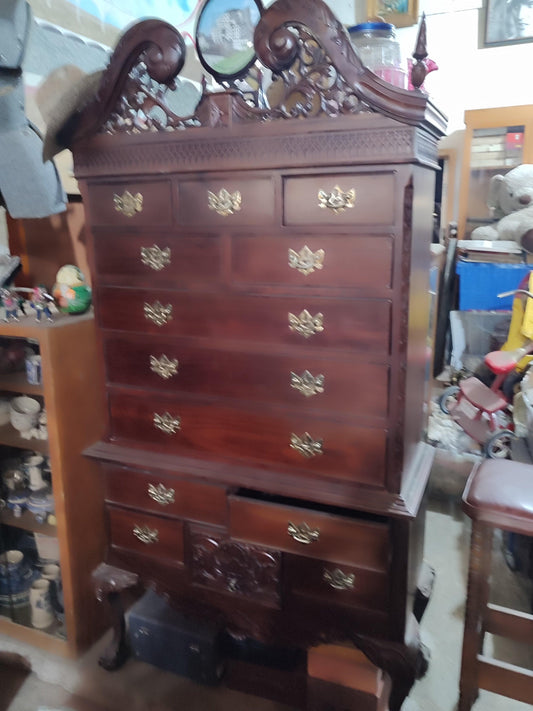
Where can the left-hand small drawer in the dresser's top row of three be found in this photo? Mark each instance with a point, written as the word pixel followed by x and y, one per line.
pixel 109 203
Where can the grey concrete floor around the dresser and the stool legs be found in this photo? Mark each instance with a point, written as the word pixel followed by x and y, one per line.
pixel 83 686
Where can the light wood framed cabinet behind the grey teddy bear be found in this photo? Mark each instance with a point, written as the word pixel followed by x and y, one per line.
pixel 496 140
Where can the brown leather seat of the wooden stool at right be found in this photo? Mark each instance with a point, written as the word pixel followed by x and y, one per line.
pixel 500 493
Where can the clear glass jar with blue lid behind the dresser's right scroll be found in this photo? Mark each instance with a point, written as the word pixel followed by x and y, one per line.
pixel 379 50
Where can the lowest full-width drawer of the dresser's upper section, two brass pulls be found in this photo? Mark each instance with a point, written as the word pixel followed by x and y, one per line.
pixel 327 447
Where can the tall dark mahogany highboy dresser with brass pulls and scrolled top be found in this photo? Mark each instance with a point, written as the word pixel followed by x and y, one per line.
pixel 261 287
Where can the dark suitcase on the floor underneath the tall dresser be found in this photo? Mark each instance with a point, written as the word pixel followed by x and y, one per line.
pixel 161 636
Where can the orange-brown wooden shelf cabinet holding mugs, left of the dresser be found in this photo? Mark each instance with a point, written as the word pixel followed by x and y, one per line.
pixel 73 536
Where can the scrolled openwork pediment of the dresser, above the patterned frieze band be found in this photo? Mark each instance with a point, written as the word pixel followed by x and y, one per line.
pixel 306 68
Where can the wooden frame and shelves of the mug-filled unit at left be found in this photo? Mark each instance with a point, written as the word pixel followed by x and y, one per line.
pixel 71 390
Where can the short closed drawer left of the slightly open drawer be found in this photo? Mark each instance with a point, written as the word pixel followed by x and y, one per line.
pixel 165 495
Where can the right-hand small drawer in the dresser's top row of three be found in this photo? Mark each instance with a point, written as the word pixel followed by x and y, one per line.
pixel 302 204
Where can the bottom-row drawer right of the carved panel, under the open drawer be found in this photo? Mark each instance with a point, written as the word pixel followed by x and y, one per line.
pixel 337 583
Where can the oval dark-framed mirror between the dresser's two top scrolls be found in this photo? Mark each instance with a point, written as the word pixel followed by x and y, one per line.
pixel 225 36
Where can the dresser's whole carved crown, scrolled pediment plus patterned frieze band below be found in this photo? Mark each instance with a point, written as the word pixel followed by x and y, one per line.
pixel 325 100
